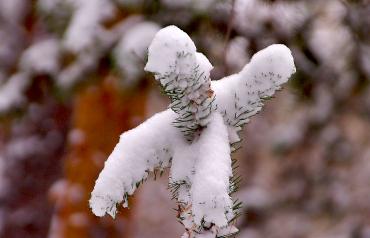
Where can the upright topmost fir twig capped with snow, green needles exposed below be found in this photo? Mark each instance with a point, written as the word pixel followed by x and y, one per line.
pixel 184 75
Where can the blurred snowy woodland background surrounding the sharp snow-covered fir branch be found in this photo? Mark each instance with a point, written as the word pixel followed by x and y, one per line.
pixel 72 80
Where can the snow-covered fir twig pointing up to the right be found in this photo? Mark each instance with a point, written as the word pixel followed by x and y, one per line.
pixel 240 96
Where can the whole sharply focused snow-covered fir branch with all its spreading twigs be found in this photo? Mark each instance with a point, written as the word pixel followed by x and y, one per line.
pixel 195 136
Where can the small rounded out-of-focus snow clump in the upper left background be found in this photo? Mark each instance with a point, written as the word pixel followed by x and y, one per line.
pixel 41 58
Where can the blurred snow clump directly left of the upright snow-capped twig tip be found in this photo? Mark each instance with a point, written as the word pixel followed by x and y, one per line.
pixel 132 50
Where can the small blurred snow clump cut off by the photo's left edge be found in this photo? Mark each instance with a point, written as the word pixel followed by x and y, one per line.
pixel 11 92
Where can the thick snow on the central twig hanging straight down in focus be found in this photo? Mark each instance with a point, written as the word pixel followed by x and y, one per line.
pixel 210 184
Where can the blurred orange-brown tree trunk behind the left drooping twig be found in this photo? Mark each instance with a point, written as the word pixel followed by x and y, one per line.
pixel 100 114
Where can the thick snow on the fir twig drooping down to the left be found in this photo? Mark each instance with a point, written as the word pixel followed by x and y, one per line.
pixel 138 152
